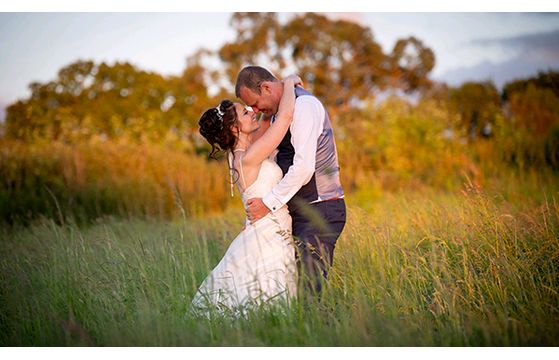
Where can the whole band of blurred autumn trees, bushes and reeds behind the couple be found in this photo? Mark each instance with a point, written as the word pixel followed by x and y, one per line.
pixel 114 139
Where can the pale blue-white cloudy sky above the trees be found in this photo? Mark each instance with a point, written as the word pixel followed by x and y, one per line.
pixel 467 46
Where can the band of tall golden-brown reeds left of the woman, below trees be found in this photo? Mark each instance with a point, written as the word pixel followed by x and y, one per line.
pixel 89 180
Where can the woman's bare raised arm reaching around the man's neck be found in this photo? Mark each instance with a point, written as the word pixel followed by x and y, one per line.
pixel 269 141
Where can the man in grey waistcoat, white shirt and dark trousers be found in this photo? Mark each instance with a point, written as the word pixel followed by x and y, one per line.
pixel 311 184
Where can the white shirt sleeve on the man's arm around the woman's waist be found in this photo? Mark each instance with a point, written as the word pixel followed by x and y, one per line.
pixel 307 125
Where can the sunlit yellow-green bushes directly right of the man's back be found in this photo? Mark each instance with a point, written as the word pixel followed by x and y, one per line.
pixel 397 145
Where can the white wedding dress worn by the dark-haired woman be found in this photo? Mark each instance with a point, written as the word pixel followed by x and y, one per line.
pixel 259 266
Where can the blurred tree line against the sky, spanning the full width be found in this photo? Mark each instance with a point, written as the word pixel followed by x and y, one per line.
pixel 340 62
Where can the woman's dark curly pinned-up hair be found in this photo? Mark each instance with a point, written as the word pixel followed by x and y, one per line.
pixel 215 126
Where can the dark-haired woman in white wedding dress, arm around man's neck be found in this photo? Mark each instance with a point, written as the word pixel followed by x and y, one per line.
pixel 259 266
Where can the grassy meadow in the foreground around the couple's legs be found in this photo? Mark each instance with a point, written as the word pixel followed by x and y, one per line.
pixel 471 267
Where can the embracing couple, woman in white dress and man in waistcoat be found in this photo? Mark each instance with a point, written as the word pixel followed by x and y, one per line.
pixel 286 169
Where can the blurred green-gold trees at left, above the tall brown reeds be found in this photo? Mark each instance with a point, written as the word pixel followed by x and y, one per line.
pixel 112 102
